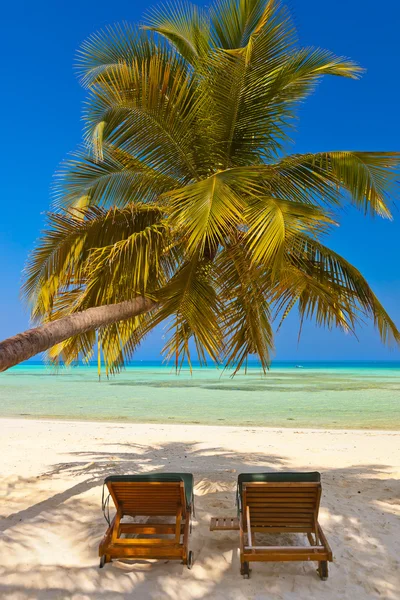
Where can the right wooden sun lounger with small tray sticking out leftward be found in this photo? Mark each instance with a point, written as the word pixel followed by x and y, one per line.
pixel 279 503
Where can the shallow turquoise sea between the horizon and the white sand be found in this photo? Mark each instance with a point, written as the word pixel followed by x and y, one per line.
pixel 311 395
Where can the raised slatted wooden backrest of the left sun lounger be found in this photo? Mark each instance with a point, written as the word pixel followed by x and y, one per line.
pixel 146 498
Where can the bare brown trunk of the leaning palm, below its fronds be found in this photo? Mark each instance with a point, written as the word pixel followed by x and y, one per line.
pixel 24 345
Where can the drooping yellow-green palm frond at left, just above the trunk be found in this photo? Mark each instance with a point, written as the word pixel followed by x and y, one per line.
pixel 74 249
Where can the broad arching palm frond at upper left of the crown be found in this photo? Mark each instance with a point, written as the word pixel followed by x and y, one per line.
pixel 148 109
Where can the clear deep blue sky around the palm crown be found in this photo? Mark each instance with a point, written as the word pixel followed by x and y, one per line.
pixel 41 105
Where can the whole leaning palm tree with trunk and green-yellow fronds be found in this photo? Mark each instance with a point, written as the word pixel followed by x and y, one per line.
pixel 183 206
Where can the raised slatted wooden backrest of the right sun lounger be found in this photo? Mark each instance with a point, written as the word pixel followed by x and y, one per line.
pixel 280 505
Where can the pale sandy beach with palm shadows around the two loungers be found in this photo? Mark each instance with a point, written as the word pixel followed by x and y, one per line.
pixel 51 520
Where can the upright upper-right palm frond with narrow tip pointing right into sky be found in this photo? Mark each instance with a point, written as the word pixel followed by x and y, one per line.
pixel 254 92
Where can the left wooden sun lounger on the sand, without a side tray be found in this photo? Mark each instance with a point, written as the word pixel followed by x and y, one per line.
pixel 156 495
